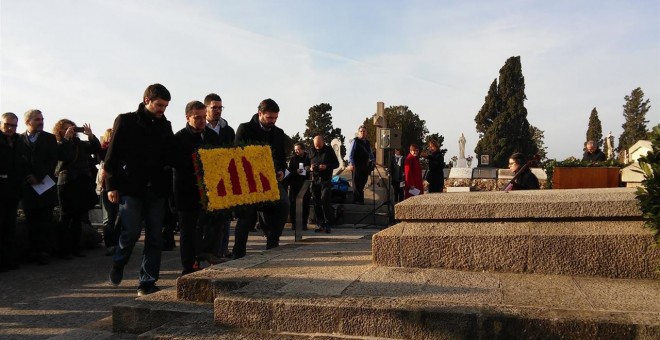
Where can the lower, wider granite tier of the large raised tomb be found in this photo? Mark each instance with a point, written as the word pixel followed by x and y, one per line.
pixel 615 249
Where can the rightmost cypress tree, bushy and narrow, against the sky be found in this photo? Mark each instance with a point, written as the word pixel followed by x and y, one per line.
pixel 634 111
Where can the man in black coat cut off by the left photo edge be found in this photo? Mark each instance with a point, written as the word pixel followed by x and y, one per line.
pixel 12 174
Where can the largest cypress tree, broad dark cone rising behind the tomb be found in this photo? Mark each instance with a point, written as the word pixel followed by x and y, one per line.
pixel 509 130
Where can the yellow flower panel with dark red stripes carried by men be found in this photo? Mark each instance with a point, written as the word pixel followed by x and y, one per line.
pixel 234 177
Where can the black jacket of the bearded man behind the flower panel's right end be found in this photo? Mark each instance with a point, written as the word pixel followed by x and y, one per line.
pixel 251 133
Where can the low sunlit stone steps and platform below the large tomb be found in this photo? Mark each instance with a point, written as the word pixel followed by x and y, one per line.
pixel 326 290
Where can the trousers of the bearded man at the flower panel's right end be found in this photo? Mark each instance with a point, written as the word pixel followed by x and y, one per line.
pixel 275 216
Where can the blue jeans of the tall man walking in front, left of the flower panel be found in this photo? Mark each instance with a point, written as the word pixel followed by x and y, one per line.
pixel 132 212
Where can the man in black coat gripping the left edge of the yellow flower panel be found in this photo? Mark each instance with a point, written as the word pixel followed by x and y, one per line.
pixel 186 192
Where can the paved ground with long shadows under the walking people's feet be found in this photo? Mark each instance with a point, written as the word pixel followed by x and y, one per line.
pixel 40 302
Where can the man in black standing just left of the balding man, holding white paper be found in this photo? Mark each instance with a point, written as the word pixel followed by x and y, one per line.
pixel 297 176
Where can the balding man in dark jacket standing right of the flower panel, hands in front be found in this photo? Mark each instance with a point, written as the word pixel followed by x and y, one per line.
pixel 323 160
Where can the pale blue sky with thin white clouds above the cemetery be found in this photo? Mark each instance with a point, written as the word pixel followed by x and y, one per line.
pixel 91 60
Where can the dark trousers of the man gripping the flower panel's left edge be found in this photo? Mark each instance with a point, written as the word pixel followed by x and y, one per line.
pixel 190 237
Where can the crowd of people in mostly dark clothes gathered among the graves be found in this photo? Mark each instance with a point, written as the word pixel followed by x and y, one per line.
pixel 147 182
